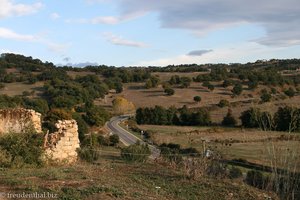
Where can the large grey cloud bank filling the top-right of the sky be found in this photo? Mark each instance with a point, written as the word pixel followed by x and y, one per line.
pixel 279 18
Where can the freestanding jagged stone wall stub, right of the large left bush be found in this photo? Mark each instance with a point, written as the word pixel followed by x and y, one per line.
pixel 61 146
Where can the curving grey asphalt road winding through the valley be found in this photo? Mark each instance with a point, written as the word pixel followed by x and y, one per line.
pixel 126 137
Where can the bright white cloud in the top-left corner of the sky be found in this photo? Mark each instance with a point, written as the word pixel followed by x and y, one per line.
pixel 8 8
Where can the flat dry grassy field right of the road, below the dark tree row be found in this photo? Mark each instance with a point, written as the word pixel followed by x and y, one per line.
pixel 251 145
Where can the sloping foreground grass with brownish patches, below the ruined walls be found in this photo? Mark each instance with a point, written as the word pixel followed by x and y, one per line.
pixel 112 178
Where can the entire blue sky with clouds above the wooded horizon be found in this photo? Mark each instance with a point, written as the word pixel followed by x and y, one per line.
pixel 150 32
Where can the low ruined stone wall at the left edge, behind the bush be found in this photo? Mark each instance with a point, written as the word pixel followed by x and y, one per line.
pixel 19 120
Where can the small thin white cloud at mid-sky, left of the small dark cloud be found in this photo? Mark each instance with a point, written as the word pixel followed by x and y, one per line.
pixel 118 40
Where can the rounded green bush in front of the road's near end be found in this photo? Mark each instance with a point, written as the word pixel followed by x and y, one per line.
pixel 136 153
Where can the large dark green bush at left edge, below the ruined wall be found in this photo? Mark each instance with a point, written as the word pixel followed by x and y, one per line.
pixel 19 150
